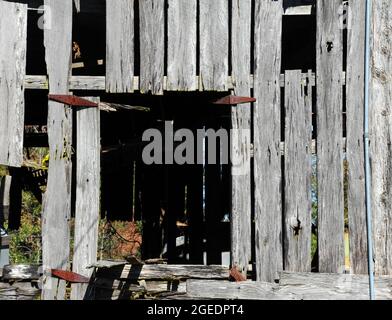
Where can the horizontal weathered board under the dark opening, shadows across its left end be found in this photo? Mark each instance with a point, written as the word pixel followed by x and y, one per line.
pixel 164 272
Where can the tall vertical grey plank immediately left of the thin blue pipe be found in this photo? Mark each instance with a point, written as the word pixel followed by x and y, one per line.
pixel 355 147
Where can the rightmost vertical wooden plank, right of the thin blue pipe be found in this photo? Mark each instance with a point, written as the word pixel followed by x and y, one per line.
pixel 381 135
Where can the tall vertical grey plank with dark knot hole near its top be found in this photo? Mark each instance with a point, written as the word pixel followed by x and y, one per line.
pixel 329 137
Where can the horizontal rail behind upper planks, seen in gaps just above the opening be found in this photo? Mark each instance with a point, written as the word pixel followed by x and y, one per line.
pixel 40 82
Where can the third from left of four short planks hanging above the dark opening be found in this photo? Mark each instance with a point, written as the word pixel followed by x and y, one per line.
pixel 182 37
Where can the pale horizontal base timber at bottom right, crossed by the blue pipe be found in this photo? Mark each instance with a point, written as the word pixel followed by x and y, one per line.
pixel 294 286
